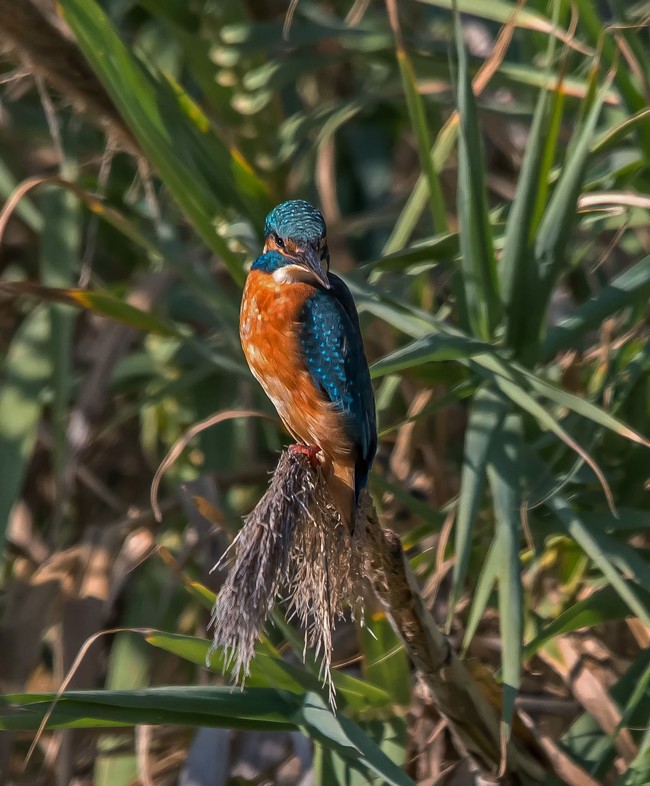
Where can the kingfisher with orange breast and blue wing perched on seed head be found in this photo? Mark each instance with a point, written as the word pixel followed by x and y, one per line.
pixel 300 333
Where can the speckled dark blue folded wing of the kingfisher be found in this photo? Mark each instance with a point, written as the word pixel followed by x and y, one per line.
pixel 330 339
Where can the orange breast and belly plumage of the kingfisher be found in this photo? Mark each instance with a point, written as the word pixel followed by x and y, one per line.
pixel 269 326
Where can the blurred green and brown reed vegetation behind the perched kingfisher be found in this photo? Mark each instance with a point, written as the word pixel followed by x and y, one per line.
pixel 500 262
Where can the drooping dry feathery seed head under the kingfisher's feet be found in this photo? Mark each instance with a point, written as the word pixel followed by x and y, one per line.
pixel 292 542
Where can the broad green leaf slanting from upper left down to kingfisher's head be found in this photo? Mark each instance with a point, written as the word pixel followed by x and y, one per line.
pixel 205 177
